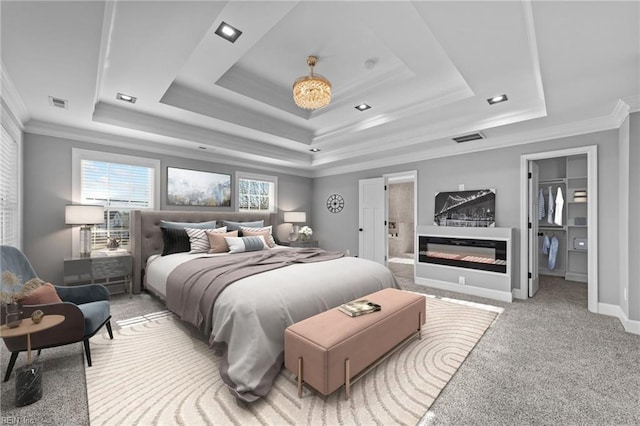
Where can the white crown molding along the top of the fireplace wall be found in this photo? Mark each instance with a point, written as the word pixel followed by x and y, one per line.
pixel 607 122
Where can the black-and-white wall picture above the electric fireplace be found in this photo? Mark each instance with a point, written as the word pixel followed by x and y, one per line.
pixel 466 208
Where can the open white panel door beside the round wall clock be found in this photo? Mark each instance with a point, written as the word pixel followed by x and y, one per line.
pixel 371 214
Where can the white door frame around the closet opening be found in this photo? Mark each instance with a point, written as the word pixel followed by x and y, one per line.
pixel 592 218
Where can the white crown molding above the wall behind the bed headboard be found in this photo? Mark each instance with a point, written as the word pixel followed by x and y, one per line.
pixel 107 139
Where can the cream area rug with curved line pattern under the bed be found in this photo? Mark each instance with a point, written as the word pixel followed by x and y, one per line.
pixel 161 372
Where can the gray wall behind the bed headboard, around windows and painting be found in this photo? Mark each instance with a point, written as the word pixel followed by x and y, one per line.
pixel 47 189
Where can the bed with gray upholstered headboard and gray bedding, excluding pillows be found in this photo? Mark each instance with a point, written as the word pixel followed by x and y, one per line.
pixel 246 320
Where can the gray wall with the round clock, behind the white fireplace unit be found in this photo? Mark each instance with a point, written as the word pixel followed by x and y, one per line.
pixel 499 169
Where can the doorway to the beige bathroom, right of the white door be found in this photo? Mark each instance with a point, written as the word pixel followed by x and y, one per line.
pixel 401 190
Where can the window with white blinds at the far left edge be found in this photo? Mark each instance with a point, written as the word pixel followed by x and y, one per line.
pixel 8 190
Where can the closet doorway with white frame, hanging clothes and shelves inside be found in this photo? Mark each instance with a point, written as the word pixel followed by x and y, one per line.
pixel 559 211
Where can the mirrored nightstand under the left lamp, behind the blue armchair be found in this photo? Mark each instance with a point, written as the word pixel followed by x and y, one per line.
pixel 114 272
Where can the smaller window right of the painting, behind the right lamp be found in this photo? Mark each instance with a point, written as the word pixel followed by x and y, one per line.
pixel 257 193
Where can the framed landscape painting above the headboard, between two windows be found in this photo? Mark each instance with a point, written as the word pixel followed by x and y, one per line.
pixel 197 188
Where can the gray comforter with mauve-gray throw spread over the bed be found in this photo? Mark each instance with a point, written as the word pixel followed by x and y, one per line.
pixel 270 290
